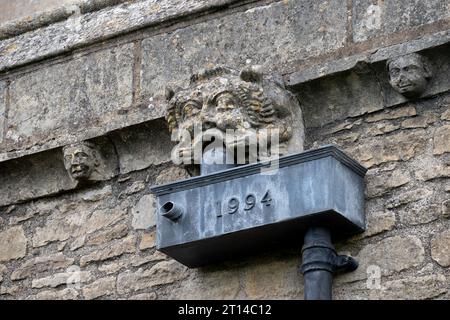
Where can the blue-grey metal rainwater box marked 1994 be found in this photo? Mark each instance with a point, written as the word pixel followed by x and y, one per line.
pixel 240 210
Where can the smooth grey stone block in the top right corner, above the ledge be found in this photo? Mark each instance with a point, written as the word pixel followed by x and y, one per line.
pixel 373 19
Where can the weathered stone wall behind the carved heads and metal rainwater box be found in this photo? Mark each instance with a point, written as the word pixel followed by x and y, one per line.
pixel 99 73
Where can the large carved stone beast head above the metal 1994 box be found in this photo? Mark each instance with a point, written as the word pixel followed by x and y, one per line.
pixel 245 105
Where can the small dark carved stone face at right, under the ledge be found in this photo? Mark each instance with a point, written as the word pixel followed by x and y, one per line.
pixel 409 74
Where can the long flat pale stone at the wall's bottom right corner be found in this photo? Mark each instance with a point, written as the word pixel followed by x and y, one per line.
pixel 411 288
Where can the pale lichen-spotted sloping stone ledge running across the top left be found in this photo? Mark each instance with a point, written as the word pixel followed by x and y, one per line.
pixel 86 29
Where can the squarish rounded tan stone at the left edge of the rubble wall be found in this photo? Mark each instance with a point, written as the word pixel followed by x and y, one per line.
pixel 13 244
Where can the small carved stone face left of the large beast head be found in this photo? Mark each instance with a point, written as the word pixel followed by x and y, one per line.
pixel 81 160
